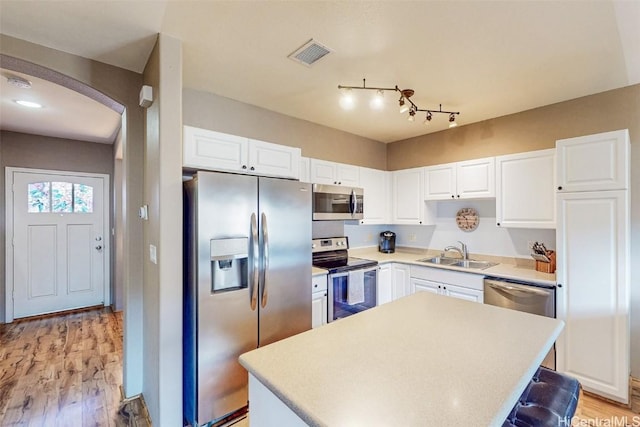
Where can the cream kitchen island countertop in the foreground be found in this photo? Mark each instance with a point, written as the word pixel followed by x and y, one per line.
pixel 424 359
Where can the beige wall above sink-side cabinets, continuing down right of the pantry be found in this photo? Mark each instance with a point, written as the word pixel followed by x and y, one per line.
pixel 538 129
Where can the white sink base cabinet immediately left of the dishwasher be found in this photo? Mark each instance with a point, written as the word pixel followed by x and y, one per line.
pixel 467 286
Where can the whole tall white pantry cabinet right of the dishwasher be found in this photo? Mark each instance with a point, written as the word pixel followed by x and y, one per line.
pixel 592 238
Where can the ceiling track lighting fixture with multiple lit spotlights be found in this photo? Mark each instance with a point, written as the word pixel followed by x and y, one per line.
pixel 405 102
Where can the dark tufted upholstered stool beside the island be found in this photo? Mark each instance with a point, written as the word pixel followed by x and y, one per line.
pixel 550 400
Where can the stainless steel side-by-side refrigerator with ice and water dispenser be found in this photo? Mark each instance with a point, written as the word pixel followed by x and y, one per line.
pixel 247 281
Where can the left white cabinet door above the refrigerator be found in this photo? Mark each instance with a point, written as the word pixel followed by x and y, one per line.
pixel 206 149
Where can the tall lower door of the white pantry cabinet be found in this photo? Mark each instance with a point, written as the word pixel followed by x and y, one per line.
pixel 593 290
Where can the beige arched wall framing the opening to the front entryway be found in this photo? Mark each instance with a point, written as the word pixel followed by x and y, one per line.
pixel 122 86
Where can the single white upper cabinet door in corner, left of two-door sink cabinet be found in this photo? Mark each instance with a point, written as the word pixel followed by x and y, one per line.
pixel 408 198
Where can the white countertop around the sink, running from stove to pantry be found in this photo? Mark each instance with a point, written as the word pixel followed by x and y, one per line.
pixel 504 270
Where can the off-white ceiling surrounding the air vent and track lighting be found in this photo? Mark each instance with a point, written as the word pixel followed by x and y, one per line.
pixel 482 58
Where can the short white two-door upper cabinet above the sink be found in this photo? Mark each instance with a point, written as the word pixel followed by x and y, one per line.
pixel 472 179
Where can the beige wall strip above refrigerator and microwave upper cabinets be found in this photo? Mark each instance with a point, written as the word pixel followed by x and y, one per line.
pixel 213 112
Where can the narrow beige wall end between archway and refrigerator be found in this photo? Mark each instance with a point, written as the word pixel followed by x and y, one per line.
pixel 163 194
